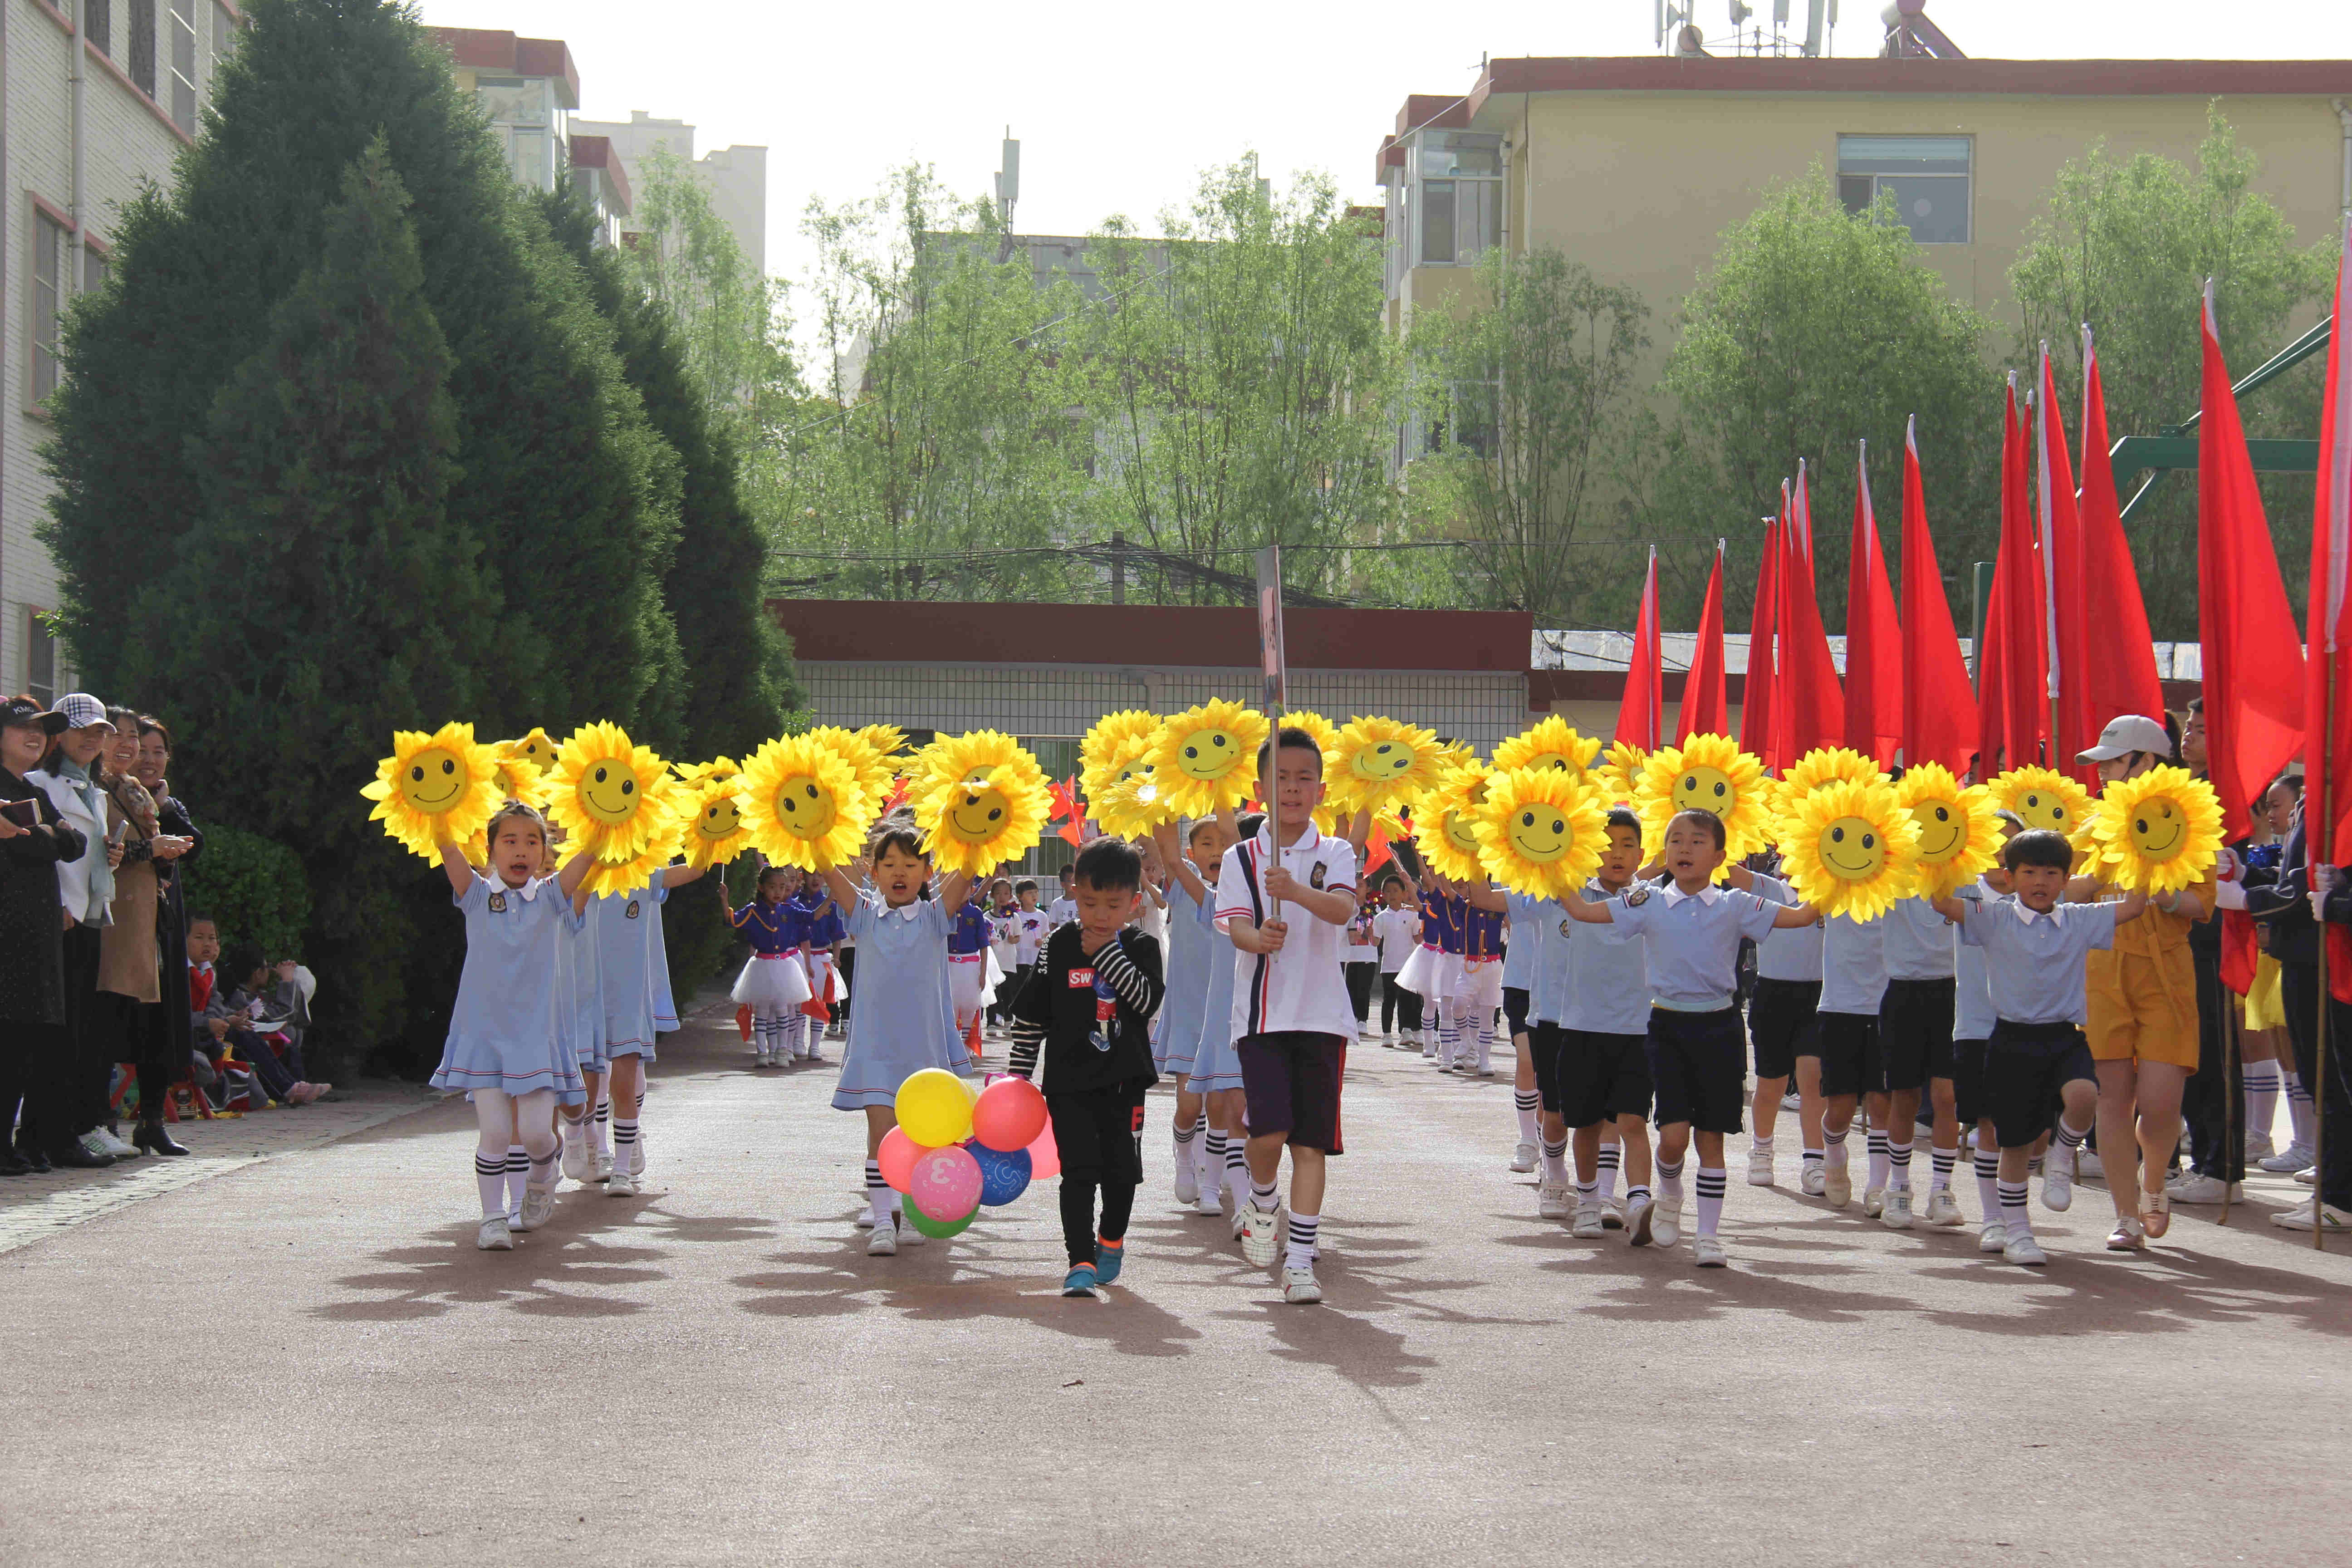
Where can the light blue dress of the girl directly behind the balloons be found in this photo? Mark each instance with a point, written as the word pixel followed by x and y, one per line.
pixel 904 1019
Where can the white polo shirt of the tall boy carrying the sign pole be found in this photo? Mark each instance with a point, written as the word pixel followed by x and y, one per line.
pixel 1299 989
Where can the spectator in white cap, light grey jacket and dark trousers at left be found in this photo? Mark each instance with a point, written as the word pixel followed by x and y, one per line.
pixel 72 1134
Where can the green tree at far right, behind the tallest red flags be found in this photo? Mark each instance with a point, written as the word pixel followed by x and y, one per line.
pixel 2127 246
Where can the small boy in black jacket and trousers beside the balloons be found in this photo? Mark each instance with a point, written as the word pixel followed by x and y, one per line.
pixel 1090 1007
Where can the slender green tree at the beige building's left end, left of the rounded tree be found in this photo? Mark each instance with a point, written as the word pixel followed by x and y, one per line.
pixel 1539 387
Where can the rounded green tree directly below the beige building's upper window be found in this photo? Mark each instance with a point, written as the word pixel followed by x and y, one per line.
pixel 1815 328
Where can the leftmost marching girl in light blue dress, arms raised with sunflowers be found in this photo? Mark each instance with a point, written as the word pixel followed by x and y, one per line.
pixel 509 1040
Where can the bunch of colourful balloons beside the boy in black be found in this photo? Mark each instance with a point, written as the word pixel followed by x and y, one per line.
pixel 958 1148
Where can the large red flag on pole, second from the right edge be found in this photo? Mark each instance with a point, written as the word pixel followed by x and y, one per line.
pixel 2245 626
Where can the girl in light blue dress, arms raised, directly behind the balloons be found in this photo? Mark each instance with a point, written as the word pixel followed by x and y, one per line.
pixel 907 1010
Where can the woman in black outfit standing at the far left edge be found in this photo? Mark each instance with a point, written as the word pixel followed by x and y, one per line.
pixel 34 1066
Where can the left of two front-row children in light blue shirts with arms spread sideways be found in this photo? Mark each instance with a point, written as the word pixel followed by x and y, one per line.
pixel 1695 1045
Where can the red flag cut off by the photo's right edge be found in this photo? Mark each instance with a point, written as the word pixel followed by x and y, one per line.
pixel 2327 692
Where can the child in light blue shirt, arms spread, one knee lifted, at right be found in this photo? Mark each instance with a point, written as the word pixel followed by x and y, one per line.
pixel 2036 965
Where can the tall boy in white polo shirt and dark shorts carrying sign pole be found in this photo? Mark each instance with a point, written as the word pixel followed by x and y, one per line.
pixel 1283 897
